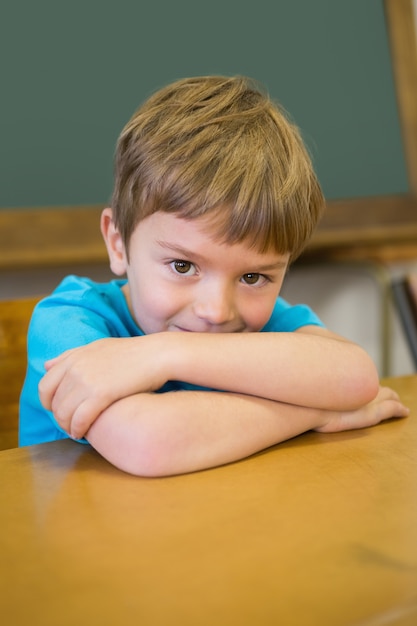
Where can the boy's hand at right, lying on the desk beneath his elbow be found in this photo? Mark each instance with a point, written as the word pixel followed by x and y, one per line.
pixel 385 405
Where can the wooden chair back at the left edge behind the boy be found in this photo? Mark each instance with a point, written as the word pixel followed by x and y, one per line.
pixel 14 321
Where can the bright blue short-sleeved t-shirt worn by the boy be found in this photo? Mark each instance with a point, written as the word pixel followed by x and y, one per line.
pixel 80 311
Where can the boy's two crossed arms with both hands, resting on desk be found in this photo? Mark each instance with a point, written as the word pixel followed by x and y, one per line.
pixel 279 385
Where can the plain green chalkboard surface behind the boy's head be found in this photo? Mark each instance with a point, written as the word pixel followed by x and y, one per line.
pixel 74 72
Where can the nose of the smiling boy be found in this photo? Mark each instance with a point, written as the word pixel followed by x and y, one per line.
pixel 216 303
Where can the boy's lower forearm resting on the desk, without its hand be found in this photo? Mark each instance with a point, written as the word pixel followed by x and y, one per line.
pixel 179 432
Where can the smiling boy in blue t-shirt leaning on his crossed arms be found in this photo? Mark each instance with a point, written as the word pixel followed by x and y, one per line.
pixel 193 360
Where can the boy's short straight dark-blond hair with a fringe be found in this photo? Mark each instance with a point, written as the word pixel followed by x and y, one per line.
pixel 219 147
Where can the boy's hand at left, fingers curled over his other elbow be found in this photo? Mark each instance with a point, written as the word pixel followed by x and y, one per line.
pixel 81 383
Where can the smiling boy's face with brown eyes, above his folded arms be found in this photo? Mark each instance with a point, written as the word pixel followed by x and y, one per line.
pixel 181 279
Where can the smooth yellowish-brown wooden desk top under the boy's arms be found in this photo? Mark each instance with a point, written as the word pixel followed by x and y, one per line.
pixel 319 531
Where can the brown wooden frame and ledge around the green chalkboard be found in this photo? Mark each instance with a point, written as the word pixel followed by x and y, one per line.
pixel 382 227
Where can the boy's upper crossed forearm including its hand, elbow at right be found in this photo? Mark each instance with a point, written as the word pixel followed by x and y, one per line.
pixel 301 369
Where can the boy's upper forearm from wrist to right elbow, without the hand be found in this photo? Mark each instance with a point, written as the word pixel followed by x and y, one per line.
pixel 296 368
